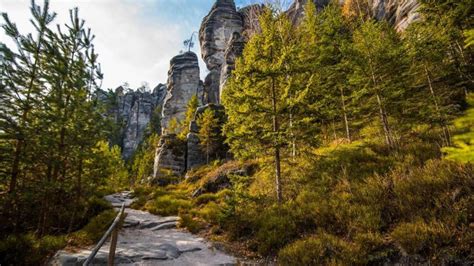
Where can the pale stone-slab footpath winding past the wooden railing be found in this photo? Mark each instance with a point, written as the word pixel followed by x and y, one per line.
pixel 147 239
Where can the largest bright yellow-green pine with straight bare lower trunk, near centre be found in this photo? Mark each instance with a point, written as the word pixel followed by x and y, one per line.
pixel 257 95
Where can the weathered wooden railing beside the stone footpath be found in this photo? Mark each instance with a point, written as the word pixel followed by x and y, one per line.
pixel 113 229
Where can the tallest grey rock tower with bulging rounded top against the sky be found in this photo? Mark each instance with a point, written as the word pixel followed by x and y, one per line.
pixel 216 30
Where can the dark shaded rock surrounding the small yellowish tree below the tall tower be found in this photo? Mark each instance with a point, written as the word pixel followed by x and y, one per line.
pixel 196 155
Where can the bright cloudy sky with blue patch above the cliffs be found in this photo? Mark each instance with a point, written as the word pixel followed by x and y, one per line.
pixel 135 39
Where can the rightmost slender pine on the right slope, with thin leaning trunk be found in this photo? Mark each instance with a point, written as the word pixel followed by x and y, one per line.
pixel 431 68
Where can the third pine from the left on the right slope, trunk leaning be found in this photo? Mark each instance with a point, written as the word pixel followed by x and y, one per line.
pixel 378 69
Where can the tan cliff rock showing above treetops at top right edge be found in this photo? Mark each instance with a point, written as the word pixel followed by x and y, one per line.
pixel 399 13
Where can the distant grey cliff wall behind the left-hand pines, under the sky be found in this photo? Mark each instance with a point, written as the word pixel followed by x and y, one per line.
pixel 132 112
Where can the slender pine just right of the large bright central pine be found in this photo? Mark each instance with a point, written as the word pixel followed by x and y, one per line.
pixel 326 36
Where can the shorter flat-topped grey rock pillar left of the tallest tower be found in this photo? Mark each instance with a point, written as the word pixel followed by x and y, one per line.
pixel 183 84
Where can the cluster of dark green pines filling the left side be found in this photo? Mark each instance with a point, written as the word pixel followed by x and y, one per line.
pixel 54 159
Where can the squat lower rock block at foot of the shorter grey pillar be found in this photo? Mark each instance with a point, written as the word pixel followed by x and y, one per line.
pixel 170 158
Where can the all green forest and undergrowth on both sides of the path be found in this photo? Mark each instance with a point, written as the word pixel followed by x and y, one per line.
pixel 356 142
